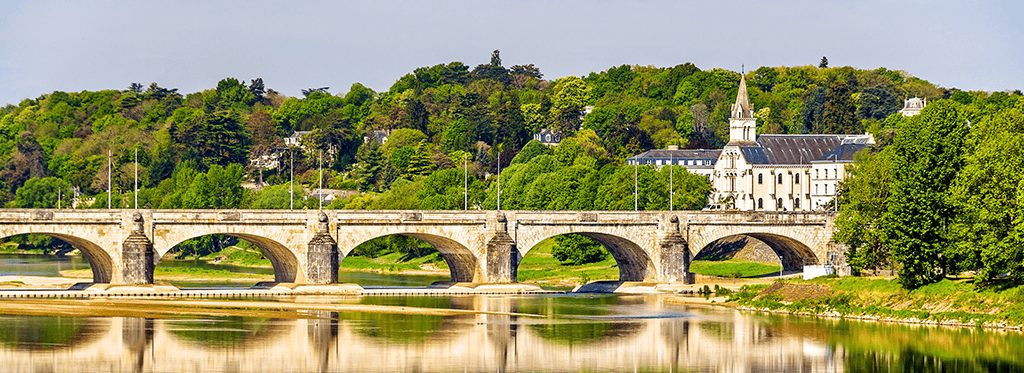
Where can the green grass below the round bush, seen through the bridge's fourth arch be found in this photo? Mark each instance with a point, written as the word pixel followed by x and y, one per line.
pixel 540 267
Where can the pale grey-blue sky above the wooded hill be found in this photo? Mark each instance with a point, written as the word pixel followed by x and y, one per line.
pixel 191 46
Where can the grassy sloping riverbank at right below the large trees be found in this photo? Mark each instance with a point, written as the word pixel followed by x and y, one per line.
pixel 948 303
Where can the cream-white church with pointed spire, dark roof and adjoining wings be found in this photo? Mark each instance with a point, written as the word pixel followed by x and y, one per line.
pixel 771 173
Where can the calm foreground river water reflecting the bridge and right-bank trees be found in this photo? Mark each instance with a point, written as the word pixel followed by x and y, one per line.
pixel 529 334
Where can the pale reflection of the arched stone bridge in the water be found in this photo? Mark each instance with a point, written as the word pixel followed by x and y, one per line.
pixel 611 334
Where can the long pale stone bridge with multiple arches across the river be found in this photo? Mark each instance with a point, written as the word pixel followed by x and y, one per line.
pixel 306 246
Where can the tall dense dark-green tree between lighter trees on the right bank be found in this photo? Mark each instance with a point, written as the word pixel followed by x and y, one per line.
pixel 927 156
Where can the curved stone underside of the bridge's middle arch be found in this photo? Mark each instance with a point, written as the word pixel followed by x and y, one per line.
pixel 462 263
